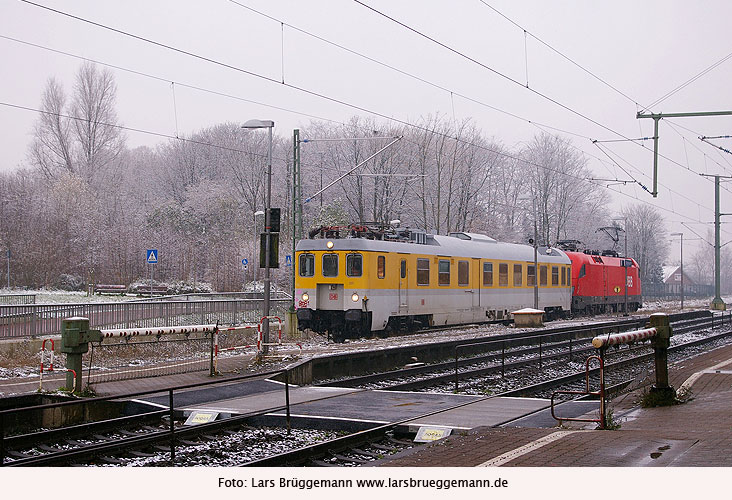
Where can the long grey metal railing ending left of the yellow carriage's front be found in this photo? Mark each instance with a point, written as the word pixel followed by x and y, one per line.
pixel 39 319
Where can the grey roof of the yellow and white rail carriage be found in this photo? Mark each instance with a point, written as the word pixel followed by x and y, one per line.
pixel 471 245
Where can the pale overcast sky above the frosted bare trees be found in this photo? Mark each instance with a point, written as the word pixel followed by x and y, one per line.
pixel 643 49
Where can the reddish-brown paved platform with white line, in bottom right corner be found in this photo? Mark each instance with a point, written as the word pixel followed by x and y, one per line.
pixel 695 433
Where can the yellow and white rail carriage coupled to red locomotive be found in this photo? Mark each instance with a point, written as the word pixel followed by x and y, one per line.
pixel 358 281
